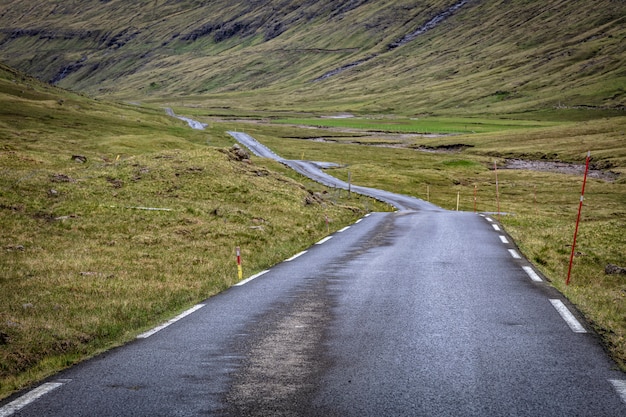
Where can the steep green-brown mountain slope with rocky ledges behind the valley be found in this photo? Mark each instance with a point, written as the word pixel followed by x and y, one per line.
pixel 370 55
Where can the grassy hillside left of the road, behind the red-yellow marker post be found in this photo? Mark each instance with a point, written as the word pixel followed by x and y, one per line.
pixel 83 267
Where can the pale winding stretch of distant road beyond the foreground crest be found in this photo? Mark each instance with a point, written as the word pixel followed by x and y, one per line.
pixel 312 170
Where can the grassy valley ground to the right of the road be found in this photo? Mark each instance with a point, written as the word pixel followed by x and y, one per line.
pixel 542 205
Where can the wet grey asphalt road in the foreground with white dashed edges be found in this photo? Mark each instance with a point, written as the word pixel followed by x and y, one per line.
pixel 421 312
